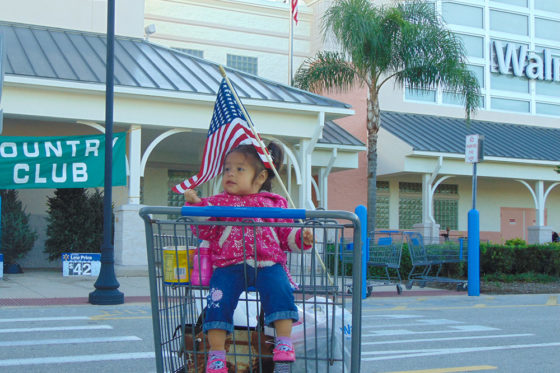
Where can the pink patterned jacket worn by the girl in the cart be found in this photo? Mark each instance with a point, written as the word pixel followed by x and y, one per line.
pixel 227 243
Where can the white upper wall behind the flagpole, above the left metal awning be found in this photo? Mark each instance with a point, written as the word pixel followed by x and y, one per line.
pixel 253 28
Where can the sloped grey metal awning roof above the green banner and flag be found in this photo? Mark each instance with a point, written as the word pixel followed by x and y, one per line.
pixel 77 56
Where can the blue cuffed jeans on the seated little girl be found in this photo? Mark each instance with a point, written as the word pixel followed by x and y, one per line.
pixel 227 284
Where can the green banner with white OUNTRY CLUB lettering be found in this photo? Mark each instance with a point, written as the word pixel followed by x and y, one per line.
pixel 59 162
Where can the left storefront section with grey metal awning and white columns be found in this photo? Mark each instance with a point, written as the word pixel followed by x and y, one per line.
pixel 54 85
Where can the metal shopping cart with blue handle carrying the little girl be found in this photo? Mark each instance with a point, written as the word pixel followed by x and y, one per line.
pixel 326 338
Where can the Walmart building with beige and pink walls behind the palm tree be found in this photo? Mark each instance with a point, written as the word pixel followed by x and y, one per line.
pixel 512 47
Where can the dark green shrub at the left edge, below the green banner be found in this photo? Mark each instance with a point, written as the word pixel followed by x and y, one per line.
pixel 17 236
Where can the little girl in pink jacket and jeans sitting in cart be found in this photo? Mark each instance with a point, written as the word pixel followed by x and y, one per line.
pixel 257 253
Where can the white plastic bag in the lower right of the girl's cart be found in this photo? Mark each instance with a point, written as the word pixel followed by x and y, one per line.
pixel 313 335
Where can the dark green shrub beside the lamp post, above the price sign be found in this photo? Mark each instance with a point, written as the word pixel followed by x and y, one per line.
pixel 75 222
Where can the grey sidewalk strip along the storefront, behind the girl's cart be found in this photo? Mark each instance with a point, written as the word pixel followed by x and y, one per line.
pixel 36 287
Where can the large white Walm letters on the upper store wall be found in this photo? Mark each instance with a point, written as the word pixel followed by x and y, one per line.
pixel 521 62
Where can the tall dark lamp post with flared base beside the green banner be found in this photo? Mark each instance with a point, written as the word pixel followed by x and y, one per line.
pixel 107 285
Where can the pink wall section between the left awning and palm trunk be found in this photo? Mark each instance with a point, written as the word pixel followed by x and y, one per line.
pixel 348 189
